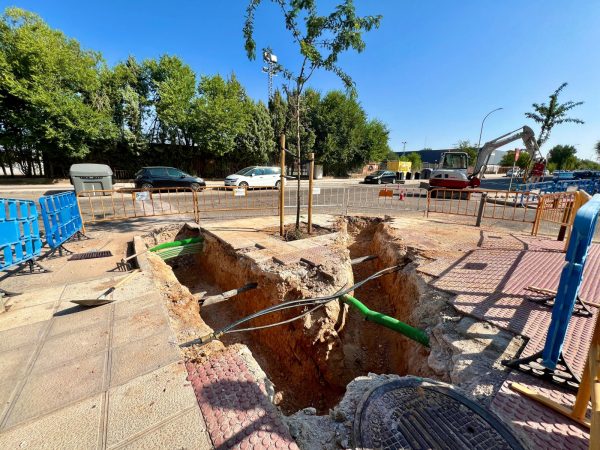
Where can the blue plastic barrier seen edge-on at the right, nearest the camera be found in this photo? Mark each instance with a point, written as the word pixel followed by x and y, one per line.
pixel 570 280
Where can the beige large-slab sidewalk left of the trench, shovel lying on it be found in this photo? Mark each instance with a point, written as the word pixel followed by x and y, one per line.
pixel 104 377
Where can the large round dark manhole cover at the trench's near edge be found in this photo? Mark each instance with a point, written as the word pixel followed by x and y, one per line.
pixel 412 413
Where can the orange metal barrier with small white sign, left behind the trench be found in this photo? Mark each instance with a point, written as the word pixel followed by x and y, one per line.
pixel 108 205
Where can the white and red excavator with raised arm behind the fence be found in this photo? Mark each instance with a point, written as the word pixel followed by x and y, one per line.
pixel 452 170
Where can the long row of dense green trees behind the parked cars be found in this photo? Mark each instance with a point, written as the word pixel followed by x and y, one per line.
pixel 61 104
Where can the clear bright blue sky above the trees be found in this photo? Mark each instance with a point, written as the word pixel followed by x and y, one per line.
pixel 431 72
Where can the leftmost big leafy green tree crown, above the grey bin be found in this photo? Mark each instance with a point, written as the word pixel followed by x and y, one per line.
pixel 51 104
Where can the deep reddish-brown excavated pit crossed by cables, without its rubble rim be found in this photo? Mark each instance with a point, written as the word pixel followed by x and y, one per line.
pixel 311 360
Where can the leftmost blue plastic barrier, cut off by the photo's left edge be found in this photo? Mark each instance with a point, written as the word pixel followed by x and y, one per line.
pixel 19 232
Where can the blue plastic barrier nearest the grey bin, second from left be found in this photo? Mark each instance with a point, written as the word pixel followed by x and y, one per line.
pixel 61 216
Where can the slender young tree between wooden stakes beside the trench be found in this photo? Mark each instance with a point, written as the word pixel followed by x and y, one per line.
pixel 320 40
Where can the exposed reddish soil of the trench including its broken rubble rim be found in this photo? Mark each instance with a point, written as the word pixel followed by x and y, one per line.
pixel 314 361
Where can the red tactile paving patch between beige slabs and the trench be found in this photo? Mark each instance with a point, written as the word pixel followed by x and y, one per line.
pixel 235 405
